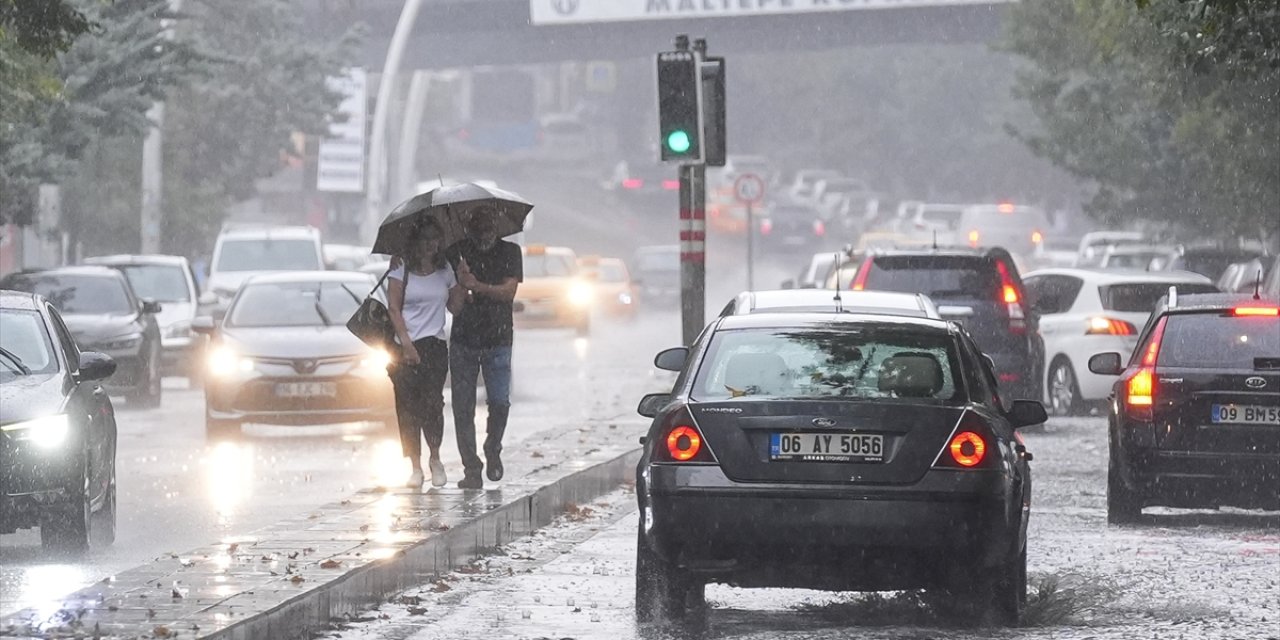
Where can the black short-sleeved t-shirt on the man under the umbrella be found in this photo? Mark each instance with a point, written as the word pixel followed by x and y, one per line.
pixel 486 322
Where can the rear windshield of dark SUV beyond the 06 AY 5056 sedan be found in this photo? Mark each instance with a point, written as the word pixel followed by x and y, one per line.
pixel 940 277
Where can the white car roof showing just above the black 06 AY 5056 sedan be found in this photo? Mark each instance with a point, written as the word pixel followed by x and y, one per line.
pixel 831 301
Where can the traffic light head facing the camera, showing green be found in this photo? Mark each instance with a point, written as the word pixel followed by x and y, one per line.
pixel 680 125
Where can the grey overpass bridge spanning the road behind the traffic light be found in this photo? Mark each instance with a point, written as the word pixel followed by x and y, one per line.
pixel 459 34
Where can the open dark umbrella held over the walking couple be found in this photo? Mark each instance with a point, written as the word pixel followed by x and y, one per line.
pixel 452 205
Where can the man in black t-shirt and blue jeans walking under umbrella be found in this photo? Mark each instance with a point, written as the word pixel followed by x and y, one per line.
pixel 490 269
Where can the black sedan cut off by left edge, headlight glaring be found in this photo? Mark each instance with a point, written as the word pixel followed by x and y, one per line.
pixel 57 431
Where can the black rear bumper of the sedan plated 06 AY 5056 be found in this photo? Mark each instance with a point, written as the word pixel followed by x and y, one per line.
pixel 866 538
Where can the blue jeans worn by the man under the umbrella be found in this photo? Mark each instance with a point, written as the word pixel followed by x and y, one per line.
pixel 467 364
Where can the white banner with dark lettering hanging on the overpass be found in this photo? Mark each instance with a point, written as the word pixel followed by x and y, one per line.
pixel 579 12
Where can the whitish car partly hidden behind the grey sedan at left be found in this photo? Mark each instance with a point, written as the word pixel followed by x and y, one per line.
pixel 171 282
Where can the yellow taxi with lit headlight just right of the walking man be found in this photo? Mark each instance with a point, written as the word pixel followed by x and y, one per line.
pixel 555 292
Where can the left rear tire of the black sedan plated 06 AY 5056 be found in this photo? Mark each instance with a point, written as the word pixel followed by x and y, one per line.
pixel 664 592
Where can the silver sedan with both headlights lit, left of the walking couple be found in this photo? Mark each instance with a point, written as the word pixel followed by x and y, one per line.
pixel 284 356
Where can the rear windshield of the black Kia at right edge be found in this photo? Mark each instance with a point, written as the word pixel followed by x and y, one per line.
pixel 1212 341
